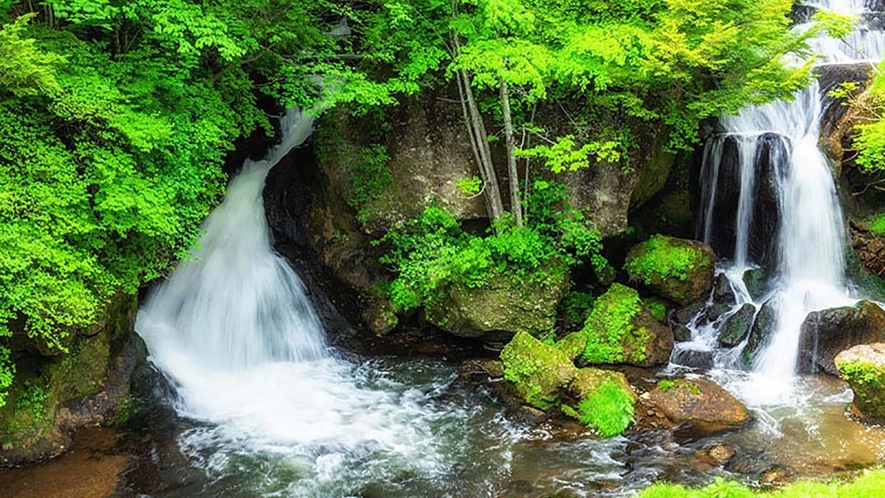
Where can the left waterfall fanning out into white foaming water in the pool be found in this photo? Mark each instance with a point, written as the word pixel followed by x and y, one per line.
pixel 234 332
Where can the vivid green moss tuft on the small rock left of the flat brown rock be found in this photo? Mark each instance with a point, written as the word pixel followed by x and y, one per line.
pixel 609 409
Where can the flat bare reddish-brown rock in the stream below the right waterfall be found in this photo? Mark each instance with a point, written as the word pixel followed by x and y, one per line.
pixel 698 404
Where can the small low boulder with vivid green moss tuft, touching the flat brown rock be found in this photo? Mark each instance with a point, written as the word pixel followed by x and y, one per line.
pixel 606 400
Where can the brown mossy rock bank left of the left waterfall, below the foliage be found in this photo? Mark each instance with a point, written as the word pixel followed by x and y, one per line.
pixel 89 385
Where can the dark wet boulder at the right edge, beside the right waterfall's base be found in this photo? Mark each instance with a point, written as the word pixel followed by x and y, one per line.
pixel 825 333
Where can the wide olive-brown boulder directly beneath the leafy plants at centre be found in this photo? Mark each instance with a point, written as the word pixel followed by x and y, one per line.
pixel 503 305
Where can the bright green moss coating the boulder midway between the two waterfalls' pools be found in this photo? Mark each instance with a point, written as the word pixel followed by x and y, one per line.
pixel 612 336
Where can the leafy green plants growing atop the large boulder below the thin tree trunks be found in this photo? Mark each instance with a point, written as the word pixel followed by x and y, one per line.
pixel 433 251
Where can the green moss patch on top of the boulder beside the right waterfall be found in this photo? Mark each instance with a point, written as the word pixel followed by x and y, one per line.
pixel 660 259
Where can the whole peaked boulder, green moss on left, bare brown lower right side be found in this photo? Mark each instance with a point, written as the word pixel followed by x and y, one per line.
pixel 620 329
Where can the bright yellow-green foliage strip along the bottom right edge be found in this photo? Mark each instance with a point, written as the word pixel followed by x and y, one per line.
pixel 868 485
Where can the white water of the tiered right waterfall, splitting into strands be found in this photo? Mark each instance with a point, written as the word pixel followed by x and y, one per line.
pixel 810 260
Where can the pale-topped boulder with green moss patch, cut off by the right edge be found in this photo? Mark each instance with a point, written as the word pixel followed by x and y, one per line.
pixel 863 367
